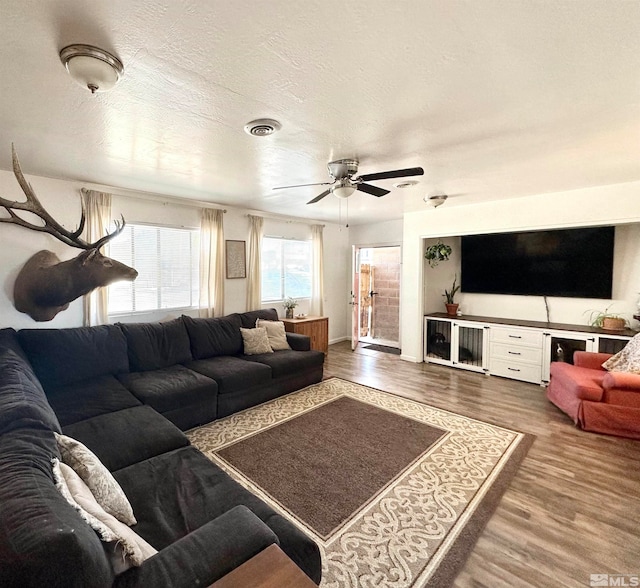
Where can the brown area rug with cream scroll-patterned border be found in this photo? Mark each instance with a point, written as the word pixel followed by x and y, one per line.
pixel 395 492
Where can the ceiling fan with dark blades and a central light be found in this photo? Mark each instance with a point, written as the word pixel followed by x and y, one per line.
pixel 344 182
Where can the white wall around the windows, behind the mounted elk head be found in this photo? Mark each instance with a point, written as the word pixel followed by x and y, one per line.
pixel 62 200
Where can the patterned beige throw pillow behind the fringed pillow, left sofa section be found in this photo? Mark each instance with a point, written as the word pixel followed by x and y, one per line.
pixel 97 477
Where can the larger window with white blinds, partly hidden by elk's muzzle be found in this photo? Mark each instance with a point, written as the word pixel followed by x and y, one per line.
pixel 167 260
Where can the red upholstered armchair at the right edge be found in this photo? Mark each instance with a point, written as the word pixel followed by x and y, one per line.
pixel 597 400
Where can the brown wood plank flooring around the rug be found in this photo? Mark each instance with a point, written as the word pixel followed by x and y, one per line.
pixel 573 508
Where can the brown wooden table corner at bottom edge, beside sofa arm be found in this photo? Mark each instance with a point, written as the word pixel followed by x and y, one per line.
pixel 271 568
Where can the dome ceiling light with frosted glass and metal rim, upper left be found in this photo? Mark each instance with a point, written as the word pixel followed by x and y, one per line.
pixel 91 67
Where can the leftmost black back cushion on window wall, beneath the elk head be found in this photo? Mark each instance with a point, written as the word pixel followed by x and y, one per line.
pixel 65 356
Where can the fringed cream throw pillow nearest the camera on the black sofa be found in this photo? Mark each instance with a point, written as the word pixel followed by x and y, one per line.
pixel 125 547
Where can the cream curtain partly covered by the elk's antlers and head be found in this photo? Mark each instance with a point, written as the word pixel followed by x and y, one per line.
pixel 97 206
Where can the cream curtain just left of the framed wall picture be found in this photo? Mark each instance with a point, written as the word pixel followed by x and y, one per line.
pixel 211 263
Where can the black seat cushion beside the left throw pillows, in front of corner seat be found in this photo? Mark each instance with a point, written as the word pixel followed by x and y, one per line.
pixel 127 436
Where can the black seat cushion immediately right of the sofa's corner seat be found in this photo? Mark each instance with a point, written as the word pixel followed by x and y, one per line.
pixel 171 388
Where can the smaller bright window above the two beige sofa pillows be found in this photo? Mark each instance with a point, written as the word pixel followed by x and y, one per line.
pixel 286 269
